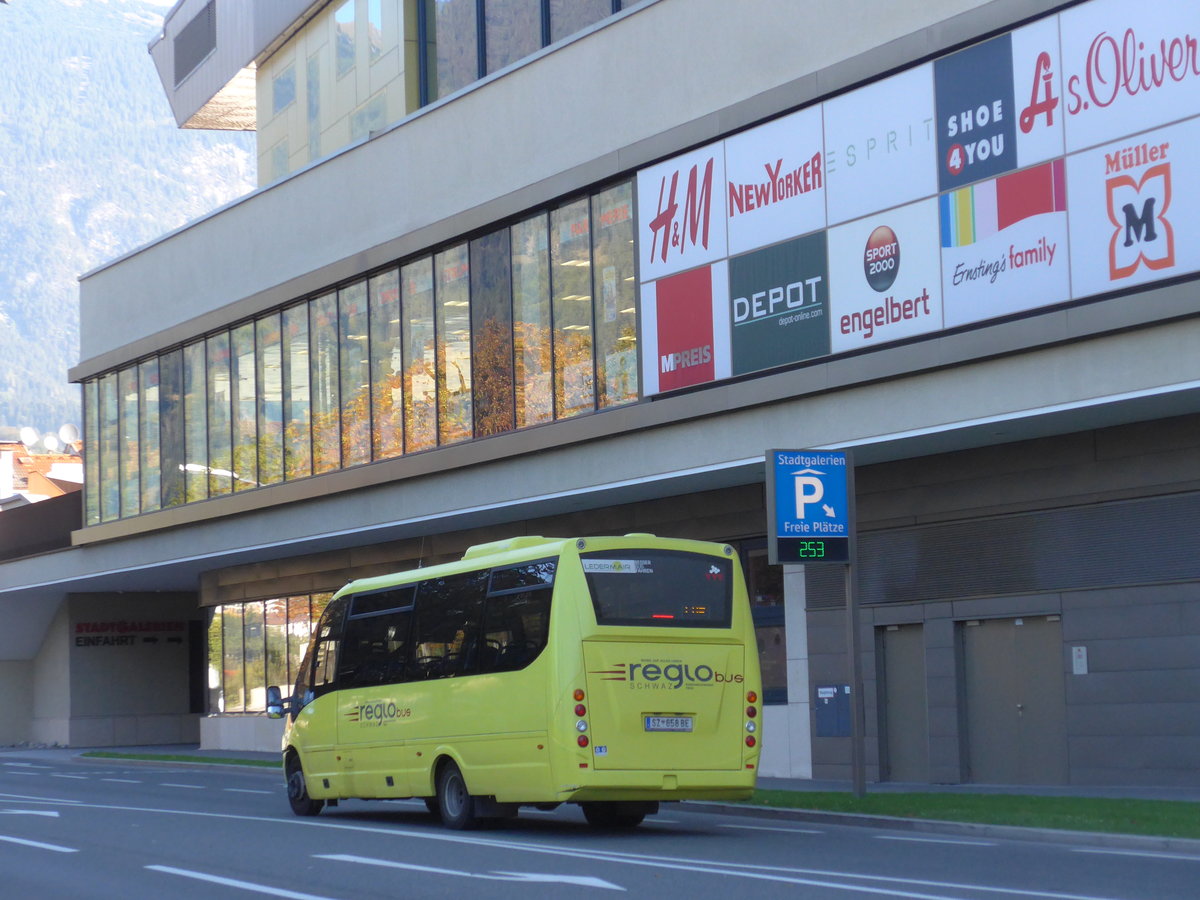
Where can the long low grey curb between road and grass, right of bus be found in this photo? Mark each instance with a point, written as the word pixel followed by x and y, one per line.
pixel 971 830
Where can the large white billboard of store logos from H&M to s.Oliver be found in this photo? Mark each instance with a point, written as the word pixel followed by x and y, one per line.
pixel 1039 167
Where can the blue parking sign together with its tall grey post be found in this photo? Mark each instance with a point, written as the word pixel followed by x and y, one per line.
pixel 811 511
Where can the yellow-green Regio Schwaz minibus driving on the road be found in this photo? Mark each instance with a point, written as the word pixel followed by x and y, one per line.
pixel 610 673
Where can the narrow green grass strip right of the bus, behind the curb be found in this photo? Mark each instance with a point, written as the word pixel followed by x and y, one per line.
pixel 1163 819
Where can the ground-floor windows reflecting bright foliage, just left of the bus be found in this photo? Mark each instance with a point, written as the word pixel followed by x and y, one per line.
pixel 255 646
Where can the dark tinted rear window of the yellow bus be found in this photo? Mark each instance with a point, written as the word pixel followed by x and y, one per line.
pixel 659 589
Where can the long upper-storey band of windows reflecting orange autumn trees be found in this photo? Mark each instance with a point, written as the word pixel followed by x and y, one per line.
pixel 529 323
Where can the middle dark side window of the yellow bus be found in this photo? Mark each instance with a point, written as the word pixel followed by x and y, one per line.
pixel 446 626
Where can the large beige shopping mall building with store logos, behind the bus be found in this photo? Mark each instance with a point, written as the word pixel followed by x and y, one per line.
pixel 574 267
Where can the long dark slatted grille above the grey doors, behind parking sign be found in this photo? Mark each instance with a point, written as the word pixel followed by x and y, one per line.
pixel 1130 543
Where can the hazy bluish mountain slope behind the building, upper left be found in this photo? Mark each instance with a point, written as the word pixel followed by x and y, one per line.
pixel 92 166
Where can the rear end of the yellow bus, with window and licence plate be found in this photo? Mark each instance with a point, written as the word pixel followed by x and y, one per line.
pixel 665 669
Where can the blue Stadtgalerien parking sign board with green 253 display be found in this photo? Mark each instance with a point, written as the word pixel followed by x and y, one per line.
pixel 811 506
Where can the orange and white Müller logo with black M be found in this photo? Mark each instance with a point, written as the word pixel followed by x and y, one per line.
pixel 1138 209
